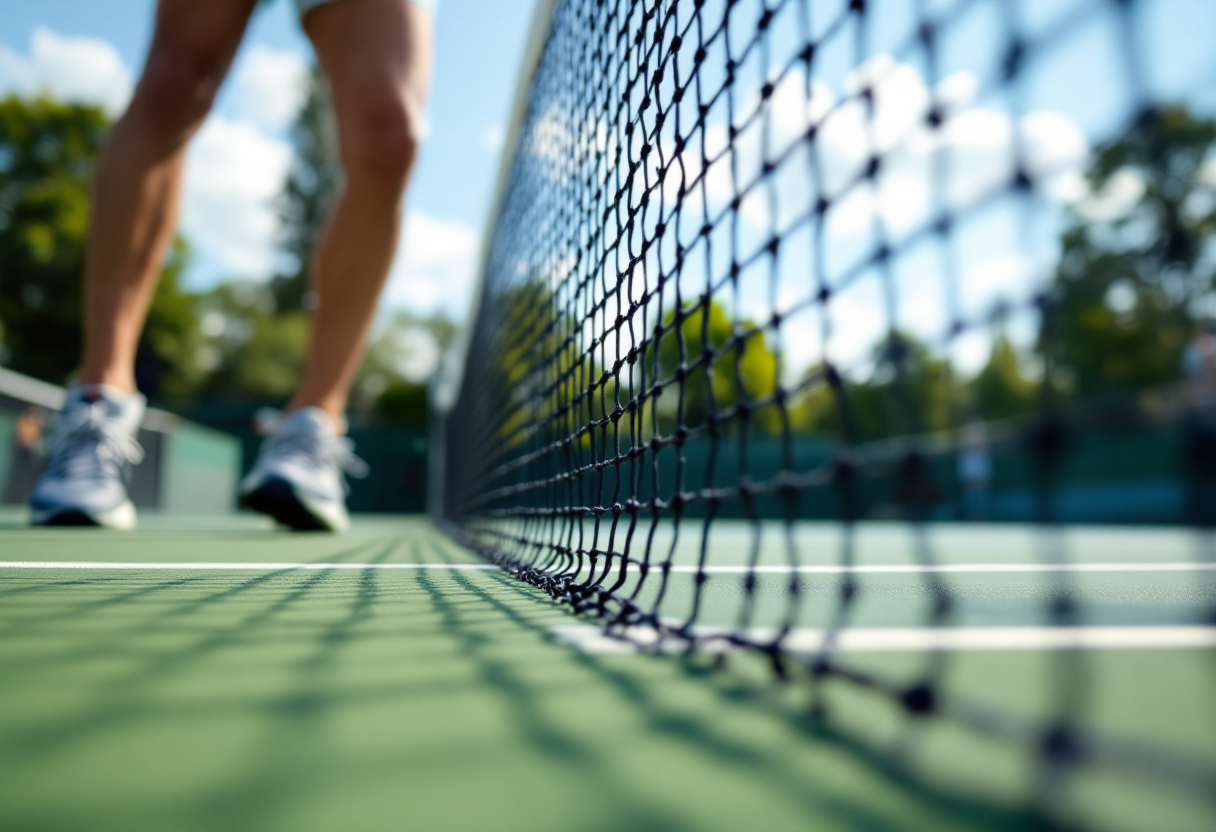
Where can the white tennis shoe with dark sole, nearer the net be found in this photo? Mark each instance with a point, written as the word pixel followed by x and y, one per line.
pixel 299 479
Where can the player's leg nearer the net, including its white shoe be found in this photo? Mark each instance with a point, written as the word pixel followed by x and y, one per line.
pixel 376 55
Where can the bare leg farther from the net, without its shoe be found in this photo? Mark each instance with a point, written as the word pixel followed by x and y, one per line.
pixel 138 184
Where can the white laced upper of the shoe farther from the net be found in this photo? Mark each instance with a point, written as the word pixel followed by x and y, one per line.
pixel 88 442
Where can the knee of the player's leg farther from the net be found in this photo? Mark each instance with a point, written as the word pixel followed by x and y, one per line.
pixel 177 89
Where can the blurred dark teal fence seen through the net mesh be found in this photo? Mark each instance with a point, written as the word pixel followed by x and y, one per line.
pixel 1113 475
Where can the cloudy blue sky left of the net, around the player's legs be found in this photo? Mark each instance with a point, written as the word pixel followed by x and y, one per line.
pixel 61 46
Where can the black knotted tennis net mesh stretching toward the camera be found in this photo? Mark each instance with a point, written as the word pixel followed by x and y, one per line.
pixel 786 291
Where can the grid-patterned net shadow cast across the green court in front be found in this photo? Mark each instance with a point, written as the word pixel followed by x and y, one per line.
pixel 262 677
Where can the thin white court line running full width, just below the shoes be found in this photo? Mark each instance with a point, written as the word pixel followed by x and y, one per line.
pixel 837 570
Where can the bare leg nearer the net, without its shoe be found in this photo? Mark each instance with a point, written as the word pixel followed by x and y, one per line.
pixel 378 58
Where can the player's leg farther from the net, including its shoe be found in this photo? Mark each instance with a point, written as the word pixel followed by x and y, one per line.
pixel 137 190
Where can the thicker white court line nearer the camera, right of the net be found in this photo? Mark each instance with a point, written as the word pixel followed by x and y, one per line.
pixel 903 640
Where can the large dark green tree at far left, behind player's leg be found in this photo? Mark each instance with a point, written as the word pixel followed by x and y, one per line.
pixel 47 160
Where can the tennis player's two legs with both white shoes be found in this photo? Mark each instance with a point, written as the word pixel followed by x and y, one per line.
pixel 376 55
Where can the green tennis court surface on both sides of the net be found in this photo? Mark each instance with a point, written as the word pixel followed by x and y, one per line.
pixel 156 692
